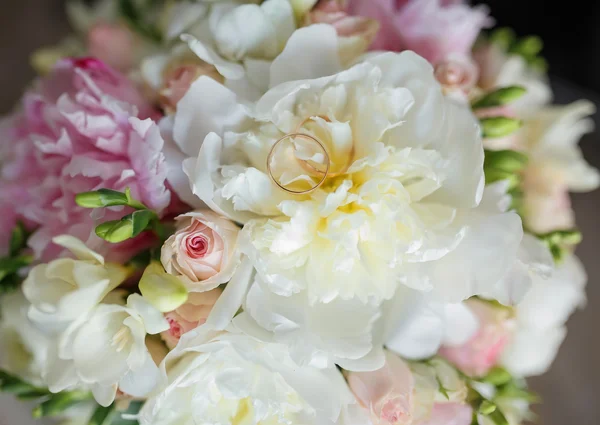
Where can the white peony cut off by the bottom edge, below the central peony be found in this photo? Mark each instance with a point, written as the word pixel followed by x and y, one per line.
pixel 230 378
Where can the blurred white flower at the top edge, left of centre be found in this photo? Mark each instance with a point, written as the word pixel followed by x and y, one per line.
pixel 237 39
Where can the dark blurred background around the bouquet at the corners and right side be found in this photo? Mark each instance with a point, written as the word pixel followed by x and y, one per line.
pixel 572 47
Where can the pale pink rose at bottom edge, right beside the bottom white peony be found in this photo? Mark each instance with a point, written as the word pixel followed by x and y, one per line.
pixel 387 393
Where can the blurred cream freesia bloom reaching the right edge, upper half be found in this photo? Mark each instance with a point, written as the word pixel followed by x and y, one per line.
pixel 556 165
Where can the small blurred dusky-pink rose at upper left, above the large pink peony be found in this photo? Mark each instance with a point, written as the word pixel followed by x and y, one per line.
pixel 114 44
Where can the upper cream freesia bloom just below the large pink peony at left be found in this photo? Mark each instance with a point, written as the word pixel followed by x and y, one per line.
pixel 66 289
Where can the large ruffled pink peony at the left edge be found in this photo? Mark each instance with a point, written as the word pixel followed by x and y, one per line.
pixel 82 128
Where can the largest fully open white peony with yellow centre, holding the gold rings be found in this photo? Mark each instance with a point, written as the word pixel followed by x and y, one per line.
pixel 409 180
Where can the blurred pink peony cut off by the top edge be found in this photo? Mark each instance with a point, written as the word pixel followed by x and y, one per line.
pixel 432 28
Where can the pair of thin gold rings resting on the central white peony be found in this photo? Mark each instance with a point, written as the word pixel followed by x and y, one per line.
pixel 305 164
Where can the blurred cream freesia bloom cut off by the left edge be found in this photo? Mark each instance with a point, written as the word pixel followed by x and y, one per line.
pixel 24 346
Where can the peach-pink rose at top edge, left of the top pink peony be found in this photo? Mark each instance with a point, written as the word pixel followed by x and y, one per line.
pixel 356 33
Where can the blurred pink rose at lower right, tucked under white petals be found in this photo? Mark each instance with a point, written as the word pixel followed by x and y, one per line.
pixel 481 353
